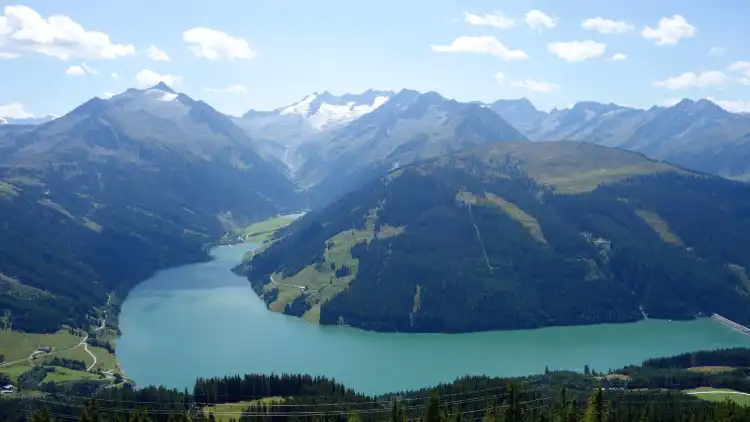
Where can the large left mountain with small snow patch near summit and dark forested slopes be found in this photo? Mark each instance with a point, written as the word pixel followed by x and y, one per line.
pixel 99 199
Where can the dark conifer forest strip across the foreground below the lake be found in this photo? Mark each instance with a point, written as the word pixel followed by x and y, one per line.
pixel 553 396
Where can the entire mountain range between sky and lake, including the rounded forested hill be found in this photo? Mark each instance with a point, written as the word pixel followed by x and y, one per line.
pixel 427 214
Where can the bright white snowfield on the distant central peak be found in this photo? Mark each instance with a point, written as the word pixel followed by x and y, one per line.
pixel 325 110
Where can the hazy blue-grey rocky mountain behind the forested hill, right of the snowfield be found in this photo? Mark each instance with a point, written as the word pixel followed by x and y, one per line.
pixel 410 127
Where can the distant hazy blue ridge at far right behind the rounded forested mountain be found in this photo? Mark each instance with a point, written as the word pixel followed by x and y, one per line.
pixel 696 134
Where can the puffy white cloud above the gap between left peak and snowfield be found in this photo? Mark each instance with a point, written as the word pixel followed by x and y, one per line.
pixel 215 45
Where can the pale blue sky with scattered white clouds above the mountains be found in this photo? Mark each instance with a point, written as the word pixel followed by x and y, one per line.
pixel 264 54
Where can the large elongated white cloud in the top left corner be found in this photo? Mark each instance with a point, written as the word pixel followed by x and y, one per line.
pixel 23 29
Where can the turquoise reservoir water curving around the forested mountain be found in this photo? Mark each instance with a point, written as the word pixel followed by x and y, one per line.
pixel 201 320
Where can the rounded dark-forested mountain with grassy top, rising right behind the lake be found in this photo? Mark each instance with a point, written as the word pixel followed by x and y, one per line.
pixel 517 235
